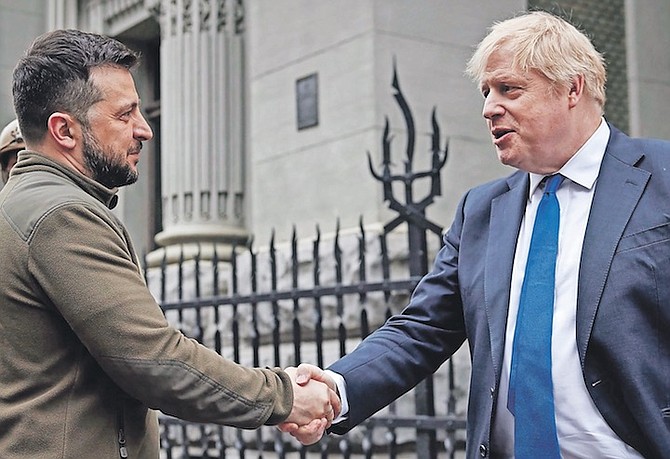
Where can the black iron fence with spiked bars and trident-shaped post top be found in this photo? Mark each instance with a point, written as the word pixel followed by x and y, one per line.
pixel 313 301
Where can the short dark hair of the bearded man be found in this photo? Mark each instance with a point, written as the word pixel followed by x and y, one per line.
pixel 53 76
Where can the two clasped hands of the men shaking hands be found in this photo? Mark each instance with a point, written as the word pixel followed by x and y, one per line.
pixel 316 403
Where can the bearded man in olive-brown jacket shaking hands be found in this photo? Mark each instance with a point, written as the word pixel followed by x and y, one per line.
pixel 86 352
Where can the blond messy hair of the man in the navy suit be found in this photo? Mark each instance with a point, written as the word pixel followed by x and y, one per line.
pixel 547 44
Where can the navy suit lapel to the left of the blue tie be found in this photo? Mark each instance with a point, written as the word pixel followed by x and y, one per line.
pixel 506 213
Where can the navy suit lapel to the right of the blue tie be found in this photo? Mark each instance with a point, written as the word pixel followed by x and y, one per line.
pixel 618 189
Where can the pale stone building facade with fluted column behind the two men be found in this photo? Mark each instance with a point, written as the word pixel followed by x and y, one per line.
pixel 265 111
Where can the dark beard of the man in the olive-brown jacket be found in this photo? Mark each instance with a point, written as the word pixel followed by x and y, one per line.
pixel 106 167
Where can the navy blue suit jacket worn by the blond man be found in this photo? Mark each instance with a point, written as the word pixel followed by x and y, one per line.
pixel 623 305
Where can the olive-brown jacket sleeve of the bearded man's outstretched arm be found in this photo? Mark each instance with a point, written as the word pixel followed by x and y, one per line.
pixel 84 266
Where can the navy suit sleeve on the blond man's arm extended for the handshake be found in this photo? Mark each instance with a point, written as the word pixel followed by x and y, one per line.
pixel 410 345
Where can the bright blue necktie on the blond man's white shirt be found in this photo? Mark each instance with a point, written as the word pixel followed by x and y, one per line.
pixel 531 396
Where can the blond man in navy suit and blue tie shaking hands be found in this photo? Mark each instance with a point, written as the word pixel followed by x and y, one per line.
pixel 557 276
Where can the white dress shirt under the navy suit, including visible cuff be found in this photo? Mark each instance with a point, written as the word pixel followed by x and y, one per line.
pixel 582 431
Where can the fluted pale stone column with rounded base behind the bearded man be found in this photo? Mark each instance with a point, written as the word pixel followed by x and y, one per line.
pixel 202 126
